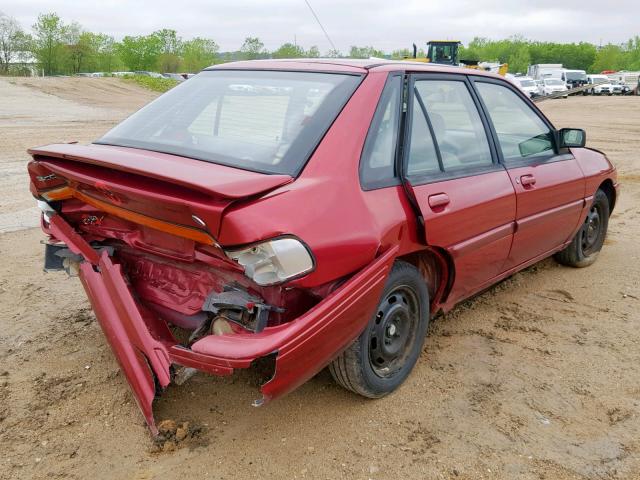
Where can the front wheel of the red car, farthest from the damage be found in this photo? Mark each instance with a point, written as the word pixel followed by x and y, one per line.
pixel 587 243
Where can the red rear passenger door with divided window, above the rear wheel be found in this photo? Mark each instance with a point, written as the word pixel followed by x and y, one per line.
pixel 464 195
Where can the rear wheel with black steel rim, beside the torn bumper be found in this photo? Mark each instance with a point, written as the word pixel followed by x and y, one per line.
pixel 384 354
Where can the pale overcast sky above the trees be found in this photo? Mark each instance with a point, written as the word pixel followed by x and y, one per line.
pixel 385 24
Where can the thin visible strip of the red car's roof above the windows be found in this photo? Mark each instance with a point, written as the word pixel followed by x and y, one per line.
pixel 346 65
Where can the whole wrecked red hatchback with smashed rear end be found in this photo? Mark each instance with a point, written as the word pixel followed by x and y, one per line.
pixel 311 213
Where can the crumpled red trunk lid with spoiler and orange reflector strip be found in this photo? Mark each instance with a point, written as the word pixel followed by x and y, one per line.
pixel 147 187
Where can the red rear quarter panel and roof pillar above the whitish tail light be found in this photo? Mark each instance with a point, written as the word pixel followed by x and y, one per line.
pixel 325 206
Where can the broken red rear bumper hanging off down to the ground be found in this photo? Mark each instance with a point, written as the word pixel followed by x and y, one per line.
pixel 146 350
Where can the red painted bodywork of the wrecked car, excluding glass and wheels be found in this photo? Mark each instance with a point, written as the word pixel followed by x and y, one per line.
pixel 481 228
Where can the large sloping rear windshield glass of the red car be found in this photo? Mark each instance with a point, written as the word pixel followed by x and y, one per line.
pixel 265 121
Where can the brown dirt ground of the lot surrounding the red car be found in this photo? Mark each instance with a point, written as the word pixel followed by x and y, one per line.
pixel 538 378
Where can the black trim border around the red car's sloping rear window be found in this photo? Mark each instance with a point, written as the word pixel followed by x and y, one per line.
pixel 294 174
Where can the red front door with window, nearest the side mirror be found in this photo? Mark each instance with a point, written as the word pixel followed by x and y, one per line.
pixel 549 184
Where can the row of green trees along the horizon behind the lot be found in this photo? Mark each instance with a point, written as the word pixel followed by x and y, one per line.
pixel 61 48
